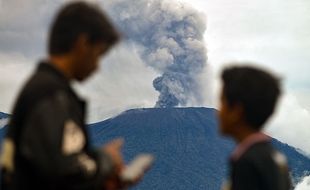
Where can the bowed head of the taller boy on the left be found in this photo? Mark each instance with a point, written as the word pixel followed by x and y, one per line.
pixel 82 32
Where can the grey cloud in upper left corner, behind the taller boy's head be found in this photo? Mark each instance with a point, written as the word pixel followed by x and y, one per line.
pixel 24 25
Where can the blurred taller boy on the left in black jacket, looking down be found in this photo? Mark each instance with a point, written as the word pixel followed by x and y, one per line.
pixel 47 145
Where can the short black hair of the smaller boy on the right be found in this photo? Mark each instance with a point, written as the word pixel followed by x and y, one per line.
pixel 256 90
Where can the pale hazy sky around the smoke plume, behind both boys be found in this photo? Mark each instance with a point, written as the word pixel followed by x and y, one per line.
pixel 273 33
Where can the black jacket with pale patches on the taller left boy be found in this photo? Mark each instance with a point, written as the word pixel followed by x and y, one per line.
pixel 51 148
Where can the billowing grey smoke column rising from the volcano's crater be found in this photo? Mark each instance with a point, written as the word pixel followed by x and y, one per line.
pixel 168 36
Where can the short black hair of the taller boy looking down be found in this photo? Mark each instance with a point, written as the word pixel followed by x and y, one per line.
pixel 79 18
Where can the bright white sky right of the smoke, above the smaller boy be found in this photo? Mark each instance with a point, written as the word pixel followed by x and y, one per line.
pixel 276 35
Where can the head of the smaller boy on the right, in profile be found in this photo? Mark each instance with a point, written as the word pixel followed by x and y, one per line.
pixel 248 98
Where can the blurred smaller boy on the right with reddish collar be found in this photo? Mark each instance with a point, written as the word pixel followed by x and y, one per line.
pixel 248 99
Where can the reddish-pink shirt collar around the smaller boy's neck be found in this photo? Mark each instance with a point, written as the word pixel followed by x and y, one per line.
pixel 247 143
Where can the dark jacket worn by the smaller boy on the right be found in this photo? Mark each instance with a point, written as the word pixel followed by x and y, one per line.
pixel 260 167
